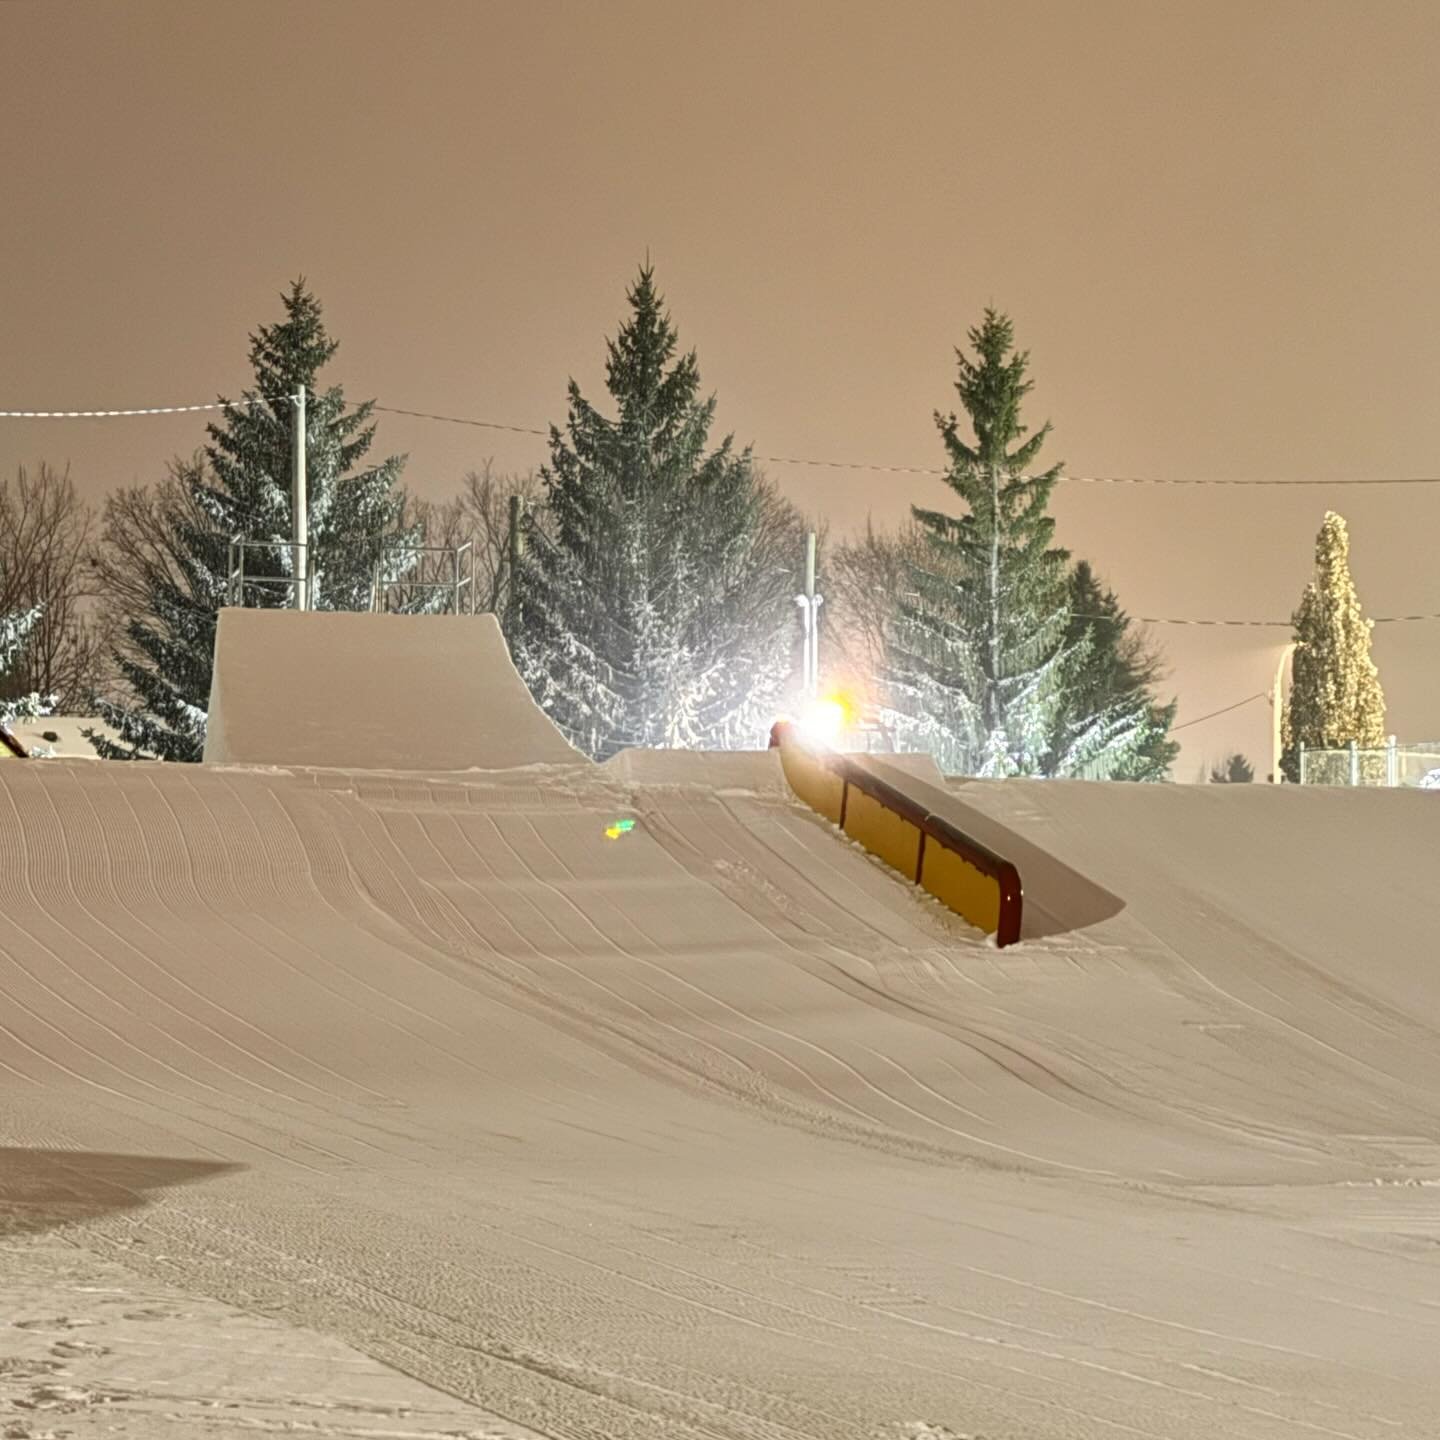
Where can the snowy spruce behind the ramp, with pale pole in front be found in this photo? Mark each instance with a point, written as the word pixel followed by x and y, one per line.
pixel 246 490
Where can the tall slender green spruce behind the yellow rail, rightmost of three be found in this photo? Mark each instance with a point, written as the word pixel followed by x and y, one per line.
pixel 977 654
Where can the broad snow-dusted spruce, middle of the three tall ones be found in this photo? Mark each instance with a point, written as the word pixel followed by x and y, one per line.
pixel 653 607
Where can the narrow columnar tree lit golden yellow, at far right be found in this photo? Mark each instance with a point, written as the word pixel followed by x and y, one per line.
pixel 1336 695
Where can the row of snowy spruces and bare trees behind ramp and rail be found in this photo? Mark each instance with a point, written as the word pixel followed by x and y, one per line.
pixel 649 597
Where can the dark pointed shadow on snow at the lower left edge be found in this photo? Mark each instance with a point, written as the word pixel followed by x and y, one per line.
pixel 42 1190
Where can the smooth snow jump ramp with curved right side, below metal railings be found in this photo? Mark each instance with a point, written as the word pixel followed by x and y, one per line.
pixel 372 693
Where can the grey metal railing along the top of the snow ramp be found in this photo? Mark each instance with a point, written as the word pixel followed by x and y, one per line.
pixel 397 572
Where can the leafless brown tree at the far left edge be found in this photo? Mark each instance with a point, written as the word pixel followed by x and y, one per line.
pixel 45 545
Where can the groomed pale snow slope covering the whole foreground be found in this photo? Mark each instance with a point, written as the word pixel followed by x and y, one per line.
pixel 716 1128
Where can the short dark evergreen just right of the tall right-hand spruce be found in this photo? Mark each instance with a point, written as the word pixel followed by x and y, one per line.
pixel 1107 702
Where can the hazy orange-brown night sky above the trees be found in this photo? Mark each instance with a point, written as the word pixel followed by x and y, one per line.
pixel 1215 228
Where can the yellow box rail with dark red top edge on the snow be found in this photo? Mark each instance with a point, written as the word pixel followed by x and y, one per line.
pixel 938 856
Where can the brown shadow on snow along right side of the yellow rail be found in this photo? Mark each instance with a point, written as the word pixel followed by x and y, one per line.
pixel 1059 899
